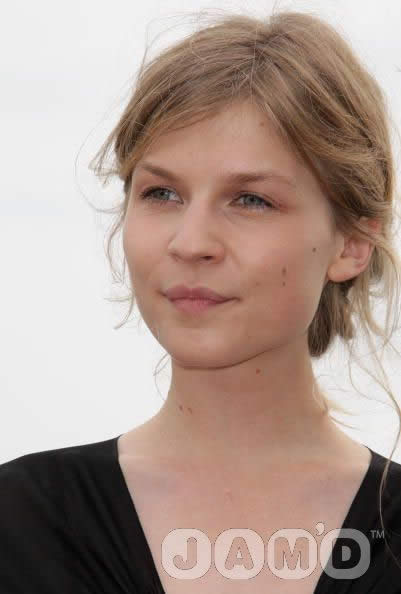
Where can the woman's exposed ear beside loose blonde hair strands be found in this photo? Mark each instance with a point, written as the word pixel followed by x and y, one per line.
pixel 353 255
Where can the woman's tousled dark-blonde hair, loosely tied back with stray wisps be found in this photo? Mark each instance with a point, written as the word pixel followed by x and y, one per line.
pixel 304 76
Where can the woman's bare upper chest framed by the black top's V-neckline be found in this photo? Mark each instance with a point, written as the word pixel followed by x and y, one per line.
pixel 208 534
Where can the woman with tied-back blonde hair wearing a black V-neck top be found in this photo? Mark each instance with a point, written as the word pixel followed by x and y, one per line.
pixel 258 202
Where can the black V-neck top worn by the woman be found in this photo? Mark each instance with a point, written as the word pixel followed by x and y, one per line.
pixel 68 525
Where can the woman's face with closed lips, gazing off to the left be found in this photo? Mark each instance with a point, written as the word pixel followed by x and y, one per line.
pixel 268 243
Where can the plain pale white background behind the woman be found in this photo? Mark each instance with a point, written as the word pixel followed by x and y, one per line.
pixel 66 376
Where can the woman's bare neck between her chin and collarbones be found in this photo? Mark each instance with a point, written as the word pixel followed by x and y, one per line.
pixel 243 417
